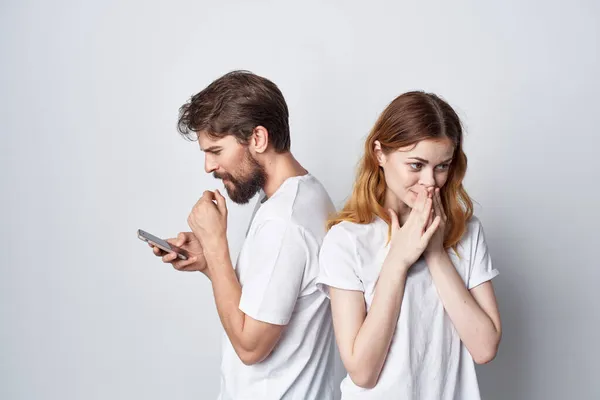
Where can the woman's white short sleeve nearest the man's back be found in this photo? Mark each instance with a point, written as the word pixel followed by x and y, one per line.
pixel 338 262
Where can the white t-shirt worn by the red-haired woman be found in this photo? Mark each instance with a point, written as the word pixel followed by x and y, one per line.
pixel 426 359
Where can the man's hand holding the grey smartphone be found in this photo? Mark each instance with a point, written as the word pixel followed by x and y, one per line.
pixel 188 242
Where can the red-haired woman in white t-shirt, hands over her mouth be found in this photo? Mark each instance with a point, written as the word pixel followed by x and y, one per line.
pixel 406 265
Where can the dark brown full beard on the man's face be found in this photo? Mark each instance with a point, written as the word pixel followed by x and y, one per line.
pixel 242 189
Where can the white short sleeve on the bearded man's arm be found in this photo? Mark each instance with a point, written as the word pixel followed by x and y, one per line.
pixel 277 261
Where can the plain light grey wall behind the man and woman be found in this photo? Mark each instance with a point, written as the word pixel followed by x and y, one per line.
pixel 89 93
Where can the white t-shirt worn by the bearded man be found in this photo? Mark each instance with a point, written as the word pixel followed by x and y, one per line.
pixel 277 268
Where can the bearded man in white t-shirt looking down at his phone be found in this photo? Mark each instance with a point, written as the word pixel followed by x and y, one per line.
pixel 278 325
